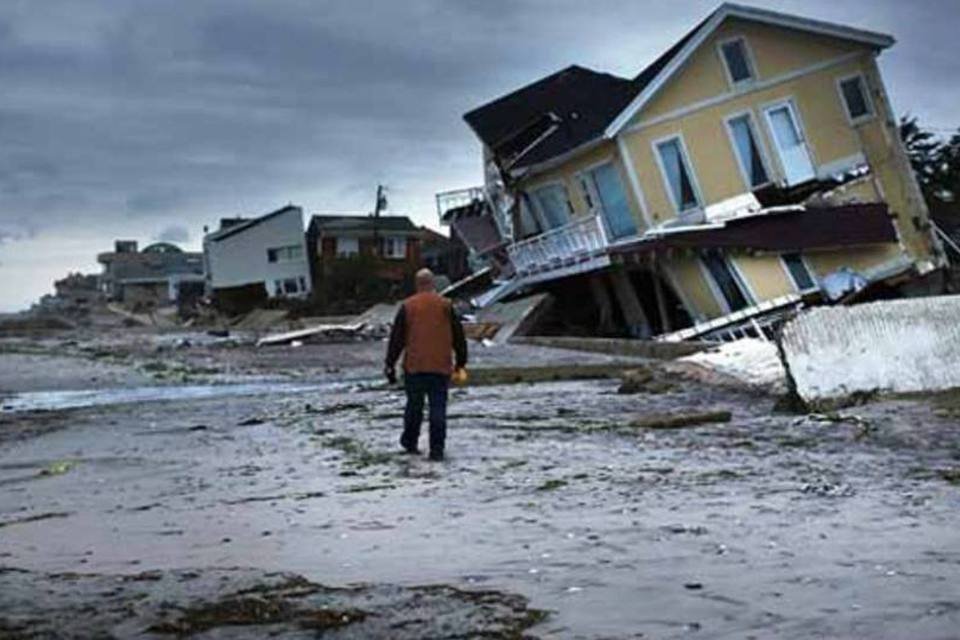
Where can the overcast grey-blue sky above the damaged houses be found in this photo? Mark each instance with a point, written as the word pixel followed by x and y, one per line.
pixel 150 119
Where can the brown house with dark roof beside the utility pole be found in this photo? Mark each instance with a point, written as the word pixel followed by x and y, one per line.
pixel 393 239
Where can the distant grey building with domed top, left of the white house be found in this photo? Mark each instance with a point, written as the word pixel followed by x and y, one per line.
pixel 160 274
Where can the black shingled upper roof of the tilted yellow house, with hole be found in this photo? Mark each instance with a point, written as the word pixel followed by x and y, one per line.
pixel 584 101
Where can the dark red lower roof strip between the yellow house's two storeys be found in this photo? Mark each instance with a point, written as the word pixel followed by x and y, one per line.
pixel 793 230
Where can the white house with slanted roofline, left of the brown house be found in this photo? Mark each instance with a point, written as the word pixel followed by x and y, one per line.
pixel 269 250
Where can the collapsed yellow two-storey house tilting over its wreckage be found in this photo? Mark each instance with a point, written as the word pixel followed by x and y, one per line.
pixel 753 167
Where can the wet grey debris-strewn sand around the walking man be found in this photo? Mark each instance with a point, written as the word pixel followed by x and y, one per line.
pixel 770 525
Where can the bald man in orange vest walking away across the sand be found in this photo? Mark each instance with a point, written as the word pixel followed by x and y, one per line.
pixel 428 332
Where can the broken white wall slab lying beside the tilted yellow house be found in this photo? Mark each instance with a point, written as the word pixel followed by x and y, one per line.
pixel 898 345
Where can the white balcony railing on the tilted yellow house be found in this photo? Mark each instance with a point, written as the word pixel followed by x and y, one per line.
pixel 572 243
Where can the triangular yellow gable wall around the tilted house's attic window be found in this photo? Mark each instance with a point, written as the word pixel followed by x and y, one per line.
pixel 775 52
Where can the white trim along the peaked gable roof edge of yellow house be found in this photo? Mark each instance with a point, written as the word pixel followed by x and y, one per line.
pixel 877 40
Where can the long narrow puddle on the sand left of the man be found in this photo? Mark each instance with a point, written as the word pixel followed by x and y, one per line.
pixel 58 400
